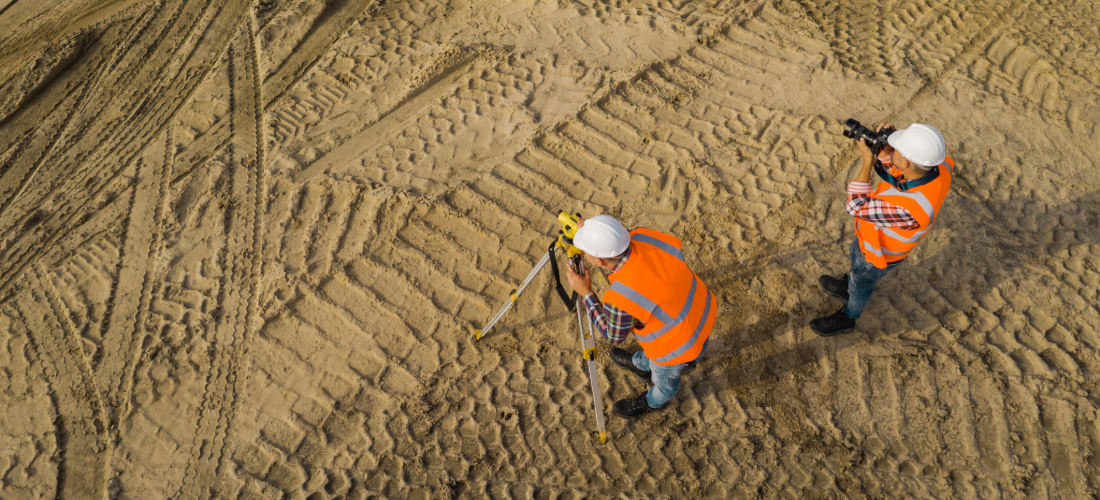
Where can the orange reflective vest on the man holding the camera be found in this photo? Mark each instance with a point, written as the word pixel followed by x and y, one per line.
pixel 885 246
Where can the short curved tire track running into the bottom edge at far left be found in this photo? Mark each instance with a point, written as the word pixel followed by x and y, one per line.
pixel 82 426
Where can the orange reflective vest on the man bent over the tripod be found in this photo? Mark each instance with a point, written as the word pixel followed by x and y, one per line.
pixel 657 288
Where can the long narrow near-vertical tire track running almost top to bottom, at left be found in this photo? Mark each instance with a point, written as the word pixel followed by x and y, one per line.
pixel 237 313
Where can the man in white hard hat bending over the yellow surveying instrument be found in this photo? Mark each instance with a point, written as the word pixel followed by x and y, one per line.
pixel 653 295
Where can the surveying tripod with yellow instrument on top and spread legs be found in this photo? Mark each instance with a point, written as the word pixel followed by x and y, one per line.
pixel 574 255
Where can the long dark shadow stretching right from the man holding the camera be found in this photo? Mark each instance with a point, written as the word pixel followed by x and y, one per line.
pixel 989 243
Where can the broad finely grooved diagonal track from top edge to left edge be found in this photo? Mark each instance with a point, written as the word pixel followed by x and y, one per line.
pixel 181 43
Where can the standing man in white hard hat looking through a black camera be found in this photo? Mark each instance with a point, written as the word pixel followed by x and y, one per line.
pixel 892 219
